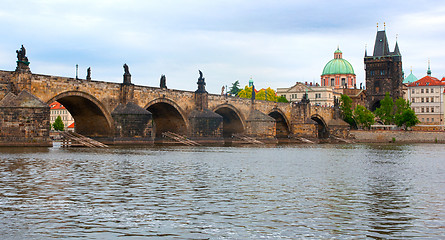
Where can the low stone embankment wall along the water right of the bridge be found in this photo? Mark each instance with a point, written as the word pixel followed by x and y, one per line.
pixel 382 136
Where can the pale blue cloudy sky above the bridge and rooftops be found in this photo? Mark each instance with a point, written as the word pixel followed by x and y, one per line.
pixel 276 43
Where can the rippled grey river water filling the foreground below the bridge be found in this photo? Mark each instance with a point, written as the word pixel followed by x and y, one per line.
pixel 281 192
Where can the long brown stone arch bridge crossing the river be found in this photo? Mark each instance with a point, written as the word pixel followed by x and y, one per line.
pixel 128 113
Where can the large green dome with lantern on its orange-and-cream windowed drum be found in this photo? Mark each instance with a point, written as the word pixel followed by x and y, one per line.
pixel 338 73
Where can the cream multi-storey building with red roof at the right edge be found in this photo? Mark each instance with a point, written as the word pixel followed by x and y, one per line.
pixel 426 98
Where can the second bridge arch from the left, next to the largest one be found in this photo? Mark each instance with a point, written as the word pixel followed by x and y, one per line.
pixel 167 116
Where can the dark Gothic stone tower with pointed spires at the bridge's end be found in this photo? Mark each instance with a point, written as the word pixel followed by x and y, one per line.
pixel 383 72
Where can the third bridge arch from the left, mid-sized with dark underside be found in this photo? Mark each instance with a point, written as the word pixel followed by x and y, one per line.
pixel 233 122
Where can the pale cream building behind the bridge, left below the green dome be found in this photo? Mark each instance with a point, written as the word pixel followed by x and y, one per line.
pixel 318 95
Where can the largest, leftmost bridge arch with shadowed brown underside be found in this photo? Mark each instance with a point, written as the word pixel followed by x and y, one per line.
pixel 91 118
